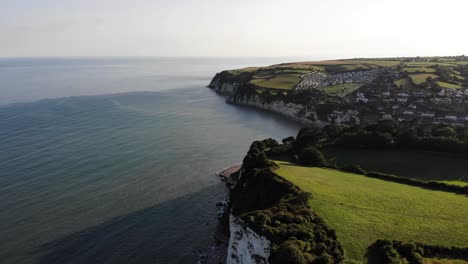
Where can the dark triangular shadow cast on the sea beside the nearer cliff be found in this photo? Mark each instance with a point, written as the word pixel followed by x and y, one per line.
pixel 167 233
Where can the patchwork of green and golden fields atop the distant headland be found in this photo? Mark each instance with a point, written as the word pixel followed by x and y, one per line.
pixel 287 76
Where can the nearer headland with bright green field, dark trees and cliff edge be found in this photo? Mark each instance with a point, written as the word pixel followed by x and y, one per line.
pixel 294 204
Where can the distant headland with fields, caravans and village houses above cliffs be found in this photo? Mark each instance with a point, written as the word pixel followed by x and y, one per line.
pixel 354 91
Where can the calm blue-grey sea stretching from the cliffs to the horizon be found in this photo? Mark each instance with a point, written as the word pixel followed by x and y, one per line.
pixel 118 178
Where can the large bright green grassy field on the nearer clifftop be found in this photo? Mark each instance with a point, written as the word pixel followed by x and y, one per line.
pixel 362 210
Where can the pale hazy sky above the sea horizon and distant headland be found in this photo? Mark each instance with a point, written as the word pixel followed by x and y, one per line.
pixel 317 29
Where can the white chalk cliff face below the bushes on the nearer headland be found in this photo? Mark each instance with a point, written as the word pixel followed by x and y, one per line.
pixel 246 246
